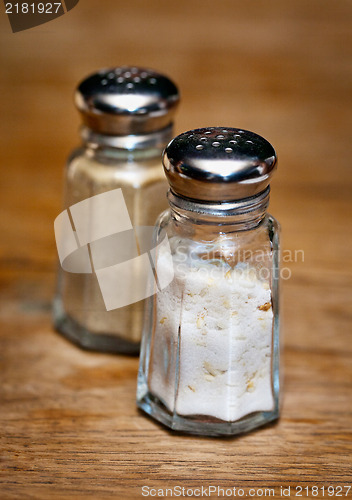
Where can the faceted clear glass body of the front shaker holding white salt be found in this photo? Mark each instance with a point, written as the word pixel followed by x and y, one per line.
pixel 210 347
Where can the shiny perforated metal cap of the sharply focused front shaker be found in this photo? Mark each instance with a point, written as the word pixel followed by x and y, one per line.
pixel 219 164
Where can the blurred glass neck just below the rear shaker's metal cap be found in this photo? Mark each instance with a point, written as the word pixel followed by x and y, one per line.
pixel 156 140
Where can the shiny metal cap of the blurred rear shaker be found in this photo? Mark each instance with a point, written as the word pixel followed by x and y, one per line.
pixel 127 100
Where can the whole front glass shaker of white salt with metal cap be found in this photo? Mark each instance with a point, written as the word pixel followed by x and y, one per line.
pixel 210 347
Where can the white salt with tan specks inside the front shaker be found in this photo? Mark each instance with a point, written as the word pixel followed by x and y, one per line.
pixel 220 323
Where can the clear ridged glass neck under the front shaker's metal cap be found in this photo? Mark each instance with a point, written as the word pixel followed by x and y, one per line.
pixel 238 215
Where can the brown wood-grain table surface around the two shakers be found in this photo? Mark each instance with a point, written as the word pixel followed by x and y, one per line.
pixel 69 427
